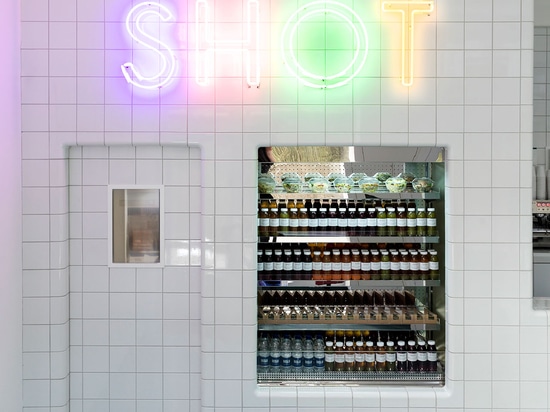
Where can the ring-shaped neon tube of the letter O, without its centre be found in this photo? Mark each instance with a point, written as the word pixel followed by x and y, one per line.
pixel 311 79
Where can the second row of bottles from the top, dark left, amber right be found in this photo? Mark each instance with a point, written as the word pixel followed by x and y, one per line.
pixel 291 262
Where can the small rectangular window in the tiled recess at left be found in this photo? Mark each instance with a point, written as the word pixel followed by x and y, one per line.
pixel 136 225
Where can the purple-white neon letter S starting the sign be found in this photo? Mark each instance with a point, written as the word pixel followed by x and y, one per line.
pixel 166 56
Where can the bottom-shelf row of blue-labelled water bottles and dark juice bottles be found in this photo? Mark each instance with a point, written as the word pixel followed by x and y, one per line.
pixel 356 352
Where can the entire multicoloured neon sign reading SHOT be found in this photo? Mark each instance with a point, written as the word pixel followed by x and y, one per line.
pixel 354 52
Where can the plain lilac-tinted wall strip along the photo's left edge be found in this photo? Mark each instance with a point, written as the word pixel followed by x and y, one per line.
pixel 10 210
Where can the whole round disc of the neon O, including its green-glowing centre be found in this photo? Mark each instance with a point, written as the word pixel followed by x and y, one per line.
pixel 347 48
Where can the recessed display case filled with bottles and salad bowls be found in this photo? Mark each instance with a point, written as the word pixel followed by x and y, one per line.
pixel 350 266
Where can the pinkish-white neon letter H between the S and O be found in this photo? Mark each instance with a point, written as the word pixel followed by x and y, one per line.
pixel 248 46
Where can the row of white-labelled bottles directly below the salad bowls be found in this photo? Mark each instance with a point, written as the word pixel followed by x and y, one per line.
pixel 351 217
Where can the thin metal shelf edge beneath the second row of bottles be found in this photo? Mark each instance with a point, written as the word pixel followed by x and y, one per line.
pixel 346 284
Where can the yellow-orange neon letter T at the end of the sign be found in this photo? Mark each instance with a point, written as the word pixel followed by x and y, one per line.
pixel 408 10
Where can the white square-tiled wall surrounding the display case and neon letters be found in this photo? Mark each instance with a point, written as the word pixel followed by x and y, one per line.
pixel 473 95
